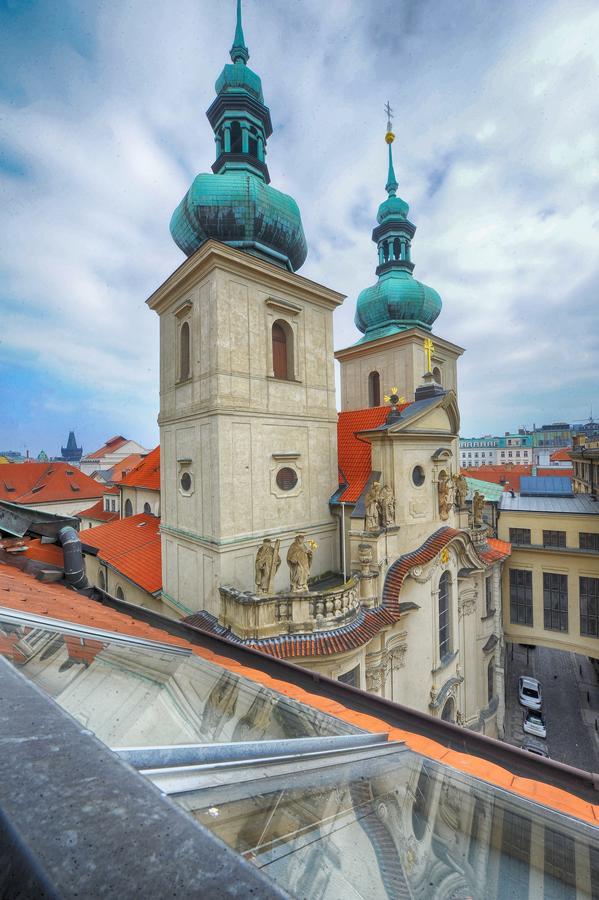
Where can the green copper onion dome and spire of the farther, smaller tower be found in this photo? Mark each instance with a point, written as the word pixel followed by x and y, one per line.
pixel 397 301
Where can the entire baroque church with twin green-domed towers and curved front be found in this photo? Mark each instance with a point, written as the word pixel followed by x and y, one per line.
pixel 339 541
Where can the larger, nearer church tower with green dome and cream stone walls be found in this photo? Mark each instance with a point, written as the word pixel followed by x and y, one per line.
pixel 247 398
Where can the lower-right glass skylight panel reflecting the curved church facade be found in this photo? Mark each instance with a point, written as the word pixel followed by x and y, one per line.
pixel 388 823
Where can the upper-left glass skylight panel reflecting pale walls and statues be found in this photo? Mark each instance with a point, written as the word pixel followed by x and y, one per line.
pixel 133 694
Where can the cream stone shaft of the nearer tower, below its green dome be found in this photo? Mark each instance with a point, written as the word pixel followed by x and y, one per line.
pixel 230 426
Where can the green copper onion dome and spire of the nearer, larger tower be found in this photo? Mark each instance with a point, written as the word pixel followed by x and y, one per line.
pixel 236 204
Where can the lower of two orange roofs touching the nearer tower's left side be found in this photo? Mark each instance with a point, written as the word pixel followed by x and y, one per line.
pixel 131 546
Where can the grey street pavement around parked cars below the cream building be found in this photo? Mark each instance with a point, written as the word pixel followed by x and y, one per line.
pixel 570 703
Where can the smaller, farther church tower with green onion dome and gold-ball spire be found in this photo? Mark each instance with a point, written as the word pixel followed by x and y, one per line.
pixel 395 315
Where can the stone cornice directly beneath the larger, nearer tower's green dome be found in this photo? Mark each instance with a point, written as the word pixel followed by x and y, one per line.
pixel 215 255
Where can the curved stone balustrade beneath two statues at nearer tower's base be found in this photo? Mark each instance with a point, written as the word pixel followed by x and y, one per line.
pixel 250 615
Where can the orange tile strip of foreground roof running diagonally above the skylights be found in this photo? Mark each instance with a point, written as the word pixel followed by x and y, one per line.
pixel 21 592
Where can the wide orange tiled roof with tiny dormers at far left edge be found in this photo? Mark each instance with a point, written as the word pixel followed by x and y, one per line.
pixel 46 483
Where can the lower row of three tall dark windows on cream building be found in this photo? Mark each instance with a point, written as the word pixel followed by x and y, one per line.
pixel 555 601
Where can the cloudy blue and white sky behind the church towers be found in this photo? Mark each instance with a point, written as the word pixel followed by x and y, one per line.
pixel 102 129
